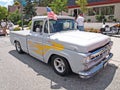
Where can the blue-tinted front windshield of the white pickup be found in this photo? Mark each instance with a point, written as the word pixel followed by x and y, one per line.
pixel 62 25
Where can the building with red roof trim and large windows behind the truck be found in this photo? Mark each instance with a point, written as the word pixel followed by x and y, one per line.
pixel 109 8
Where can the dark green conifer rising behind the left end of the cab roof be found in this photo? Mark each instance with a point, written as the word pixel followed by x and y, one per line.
pixel 29 10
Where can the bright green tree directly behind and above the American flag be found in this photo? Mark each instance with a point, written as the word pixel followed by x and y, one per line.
pixel 59 5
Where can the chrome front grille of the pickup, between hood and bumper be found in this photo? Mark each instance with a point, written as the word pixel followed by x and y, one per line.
pixel 98 55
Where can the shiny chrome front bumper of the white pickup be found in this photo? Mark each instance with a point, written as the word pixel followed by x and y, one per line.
pixel 95 69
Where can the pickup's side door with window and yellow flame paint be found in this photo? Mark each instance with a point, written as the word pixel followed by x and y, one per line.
pixel 35 40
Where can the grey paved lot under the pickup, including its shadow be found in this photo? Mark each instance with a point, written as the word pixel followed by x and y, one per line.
pixel 23 72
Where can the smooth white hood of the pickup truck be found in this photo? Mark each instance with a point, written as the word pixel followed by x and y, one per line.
pixel 80 41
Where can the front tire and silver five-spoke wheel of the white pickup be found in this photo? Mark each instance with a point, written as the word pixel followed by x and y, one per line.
pixel 60 65
